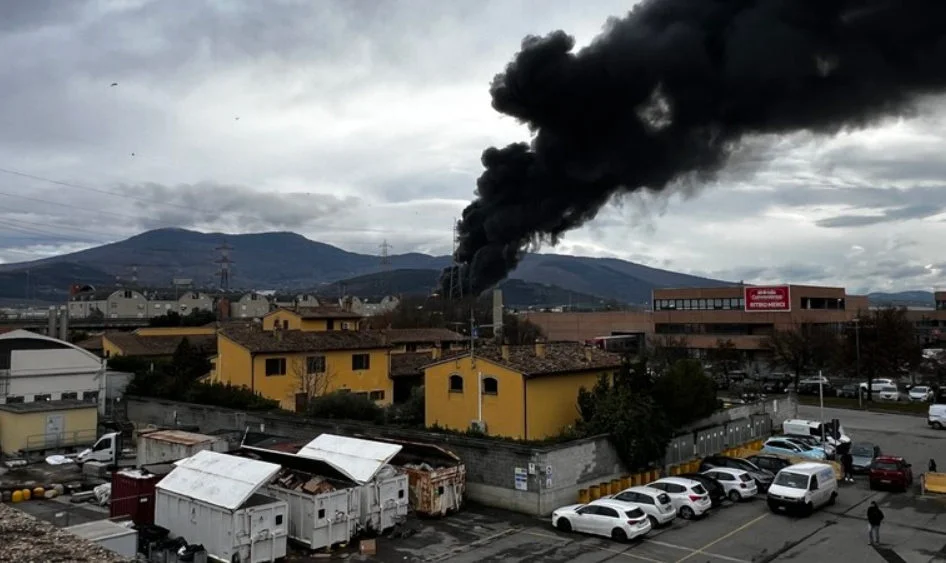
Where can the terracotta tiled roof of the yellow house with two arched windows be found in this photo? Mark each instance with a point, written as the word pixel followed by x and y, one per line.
pixel 560 357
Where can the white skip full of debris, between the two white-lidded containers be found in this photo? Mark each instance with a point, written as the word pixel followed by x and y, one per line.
pixel 324 504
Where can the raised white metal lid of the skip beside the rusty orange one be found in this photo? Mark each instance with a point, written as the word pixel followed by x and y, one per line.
pixel 359 459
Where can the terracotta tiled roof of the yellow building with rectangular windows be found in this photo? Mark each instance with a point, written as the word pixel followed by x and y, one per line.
pixel 258 341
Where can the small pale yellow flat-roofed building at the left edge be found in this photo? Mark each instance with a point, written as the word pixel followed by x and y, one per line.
pixel 47 426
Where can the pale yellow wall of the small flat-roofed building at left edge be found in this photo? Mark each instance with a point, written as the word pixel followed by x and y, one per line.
pixel 18 430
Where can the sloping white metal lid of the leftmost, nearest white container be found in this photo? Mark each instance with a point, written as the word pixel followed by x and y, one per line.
pixel 219 479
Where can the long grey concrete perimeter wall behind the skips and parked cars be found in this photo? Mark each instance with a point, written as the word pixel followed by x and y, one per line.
pixel 550 475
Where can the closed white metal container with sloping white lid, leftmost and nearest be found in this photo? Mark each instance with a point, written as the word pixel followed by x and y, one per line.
pixel 213 499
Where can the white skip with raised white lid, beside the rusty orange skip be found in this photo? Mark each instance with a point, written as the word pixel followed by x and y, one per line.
pixel 384 488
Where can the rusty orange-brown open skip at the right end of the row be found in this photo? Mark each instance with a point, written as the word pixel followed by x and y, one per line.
pixel 437 477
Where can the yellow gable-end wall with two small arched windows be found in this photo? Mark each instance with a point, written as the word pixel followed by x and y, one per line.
pixel 503 412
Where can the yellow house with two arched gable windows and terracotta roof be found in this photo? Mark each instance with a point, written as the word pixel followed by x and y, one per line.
pixel 523 392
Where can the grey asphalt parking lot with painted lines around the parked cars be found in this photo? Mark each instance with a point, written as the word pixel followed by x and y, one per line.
pixel 914 529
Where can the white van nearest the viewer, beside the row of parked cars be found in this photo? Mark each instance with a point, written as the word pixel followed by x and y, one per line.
pixel 803 487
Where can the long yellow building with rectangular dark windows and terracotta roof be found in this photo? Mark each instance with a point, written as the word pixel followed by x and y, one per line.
pixel 293 365
